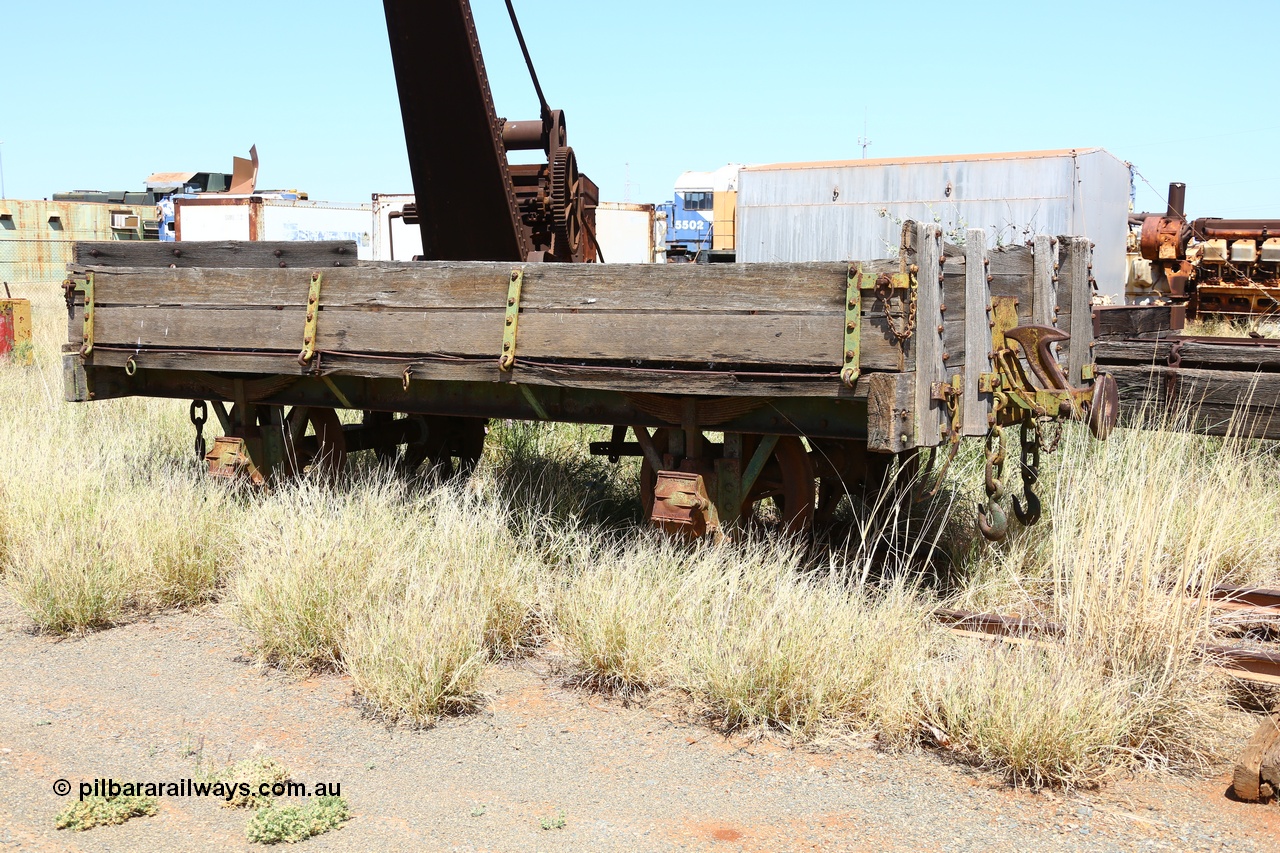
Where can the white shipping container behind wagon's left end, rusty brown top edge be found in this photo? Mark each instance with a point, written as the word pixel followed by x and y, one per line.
pixel 221 217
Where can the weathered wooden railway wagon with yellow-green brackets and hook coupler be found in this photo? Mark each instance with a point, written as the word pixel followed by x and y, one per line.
pixel 812 373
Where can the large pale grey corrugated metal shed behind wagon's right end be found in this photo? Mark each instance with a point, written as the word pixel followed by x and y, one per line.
pixel 852 211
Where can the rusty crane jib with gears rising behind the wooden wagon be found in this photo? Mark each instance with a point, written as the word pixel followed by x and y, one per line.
pixel 472 203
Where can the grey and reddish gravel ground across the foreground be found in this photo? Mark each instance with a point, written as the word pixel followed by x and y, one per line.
pixel 154 700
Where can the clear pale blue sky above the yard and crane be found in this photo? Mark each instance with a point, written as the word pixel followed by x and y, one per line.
pixel 98 95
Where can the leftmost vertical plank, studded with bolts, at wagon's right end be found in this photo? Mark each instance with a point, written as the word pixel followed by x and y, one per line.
pixel 930 364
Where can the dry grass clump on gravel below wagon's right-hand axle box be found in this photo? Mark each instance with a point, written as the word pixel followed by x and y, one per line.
pixel 749 636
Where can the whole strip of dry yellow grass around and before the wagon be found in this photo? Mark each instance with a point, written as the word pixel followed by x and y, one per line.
pixel 415 592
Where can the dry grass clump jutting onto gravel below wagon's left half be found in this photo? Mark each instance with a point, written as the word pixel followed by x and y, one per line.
pixel 412 594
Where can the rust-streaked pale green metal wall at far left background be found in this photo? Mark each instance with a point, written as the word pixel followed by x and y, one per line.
pixel 36 241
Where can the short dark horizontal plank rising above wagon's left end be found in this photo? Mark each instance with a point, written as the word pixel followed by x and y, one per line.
pixel 127 253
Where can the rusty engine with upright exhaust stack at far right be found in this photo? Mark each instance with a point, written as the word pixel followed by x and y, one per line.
pixel 1217 267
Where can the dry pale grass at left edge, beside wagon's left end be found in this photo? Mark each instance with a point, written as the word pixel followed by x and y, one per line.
pixel 103 514
